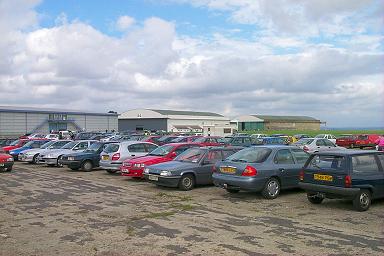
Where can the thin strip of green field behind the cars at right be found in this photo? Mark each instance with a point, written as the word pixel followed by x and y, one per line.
pixel 314 133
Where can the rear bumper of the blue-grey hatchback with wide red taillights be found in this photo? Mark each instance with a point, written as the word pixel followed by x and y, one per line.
pixel 238 182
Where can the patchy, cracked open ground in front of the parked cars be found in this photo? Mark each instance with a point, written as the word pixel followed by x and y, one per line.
pixel 47 211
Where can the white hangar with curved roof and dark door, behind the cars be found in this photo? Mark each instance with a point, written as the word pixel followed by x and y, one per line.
pixel 206 123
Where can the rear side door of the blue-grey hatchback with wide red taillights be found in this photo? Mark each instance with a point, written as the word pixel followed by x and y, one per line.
pixel 286 168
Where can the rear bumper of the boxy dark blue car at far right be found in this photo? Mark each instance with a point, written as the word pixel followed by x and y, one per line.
pixel 330 191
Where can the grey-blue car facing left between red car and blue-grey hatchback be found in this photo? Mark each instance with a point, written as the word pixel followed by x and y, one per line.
pixel 190 168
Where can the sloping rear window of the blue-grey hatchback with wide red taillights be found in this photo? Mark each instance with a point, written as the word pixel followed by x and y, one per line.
pixel 251 155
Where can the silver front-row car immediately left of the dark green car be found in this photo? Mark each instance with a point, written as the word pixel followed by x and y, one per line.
pixel 52 157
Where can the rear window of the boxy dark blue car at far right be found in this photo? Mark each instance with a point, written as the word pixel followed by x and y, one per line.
pixel 327 162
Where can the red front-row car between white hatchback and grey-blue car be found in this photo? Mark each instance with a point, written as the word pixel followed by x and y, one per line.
pixel 134 167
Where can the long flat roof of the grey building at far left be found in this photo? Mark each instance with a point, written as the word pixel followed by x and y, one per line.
pixel 22 109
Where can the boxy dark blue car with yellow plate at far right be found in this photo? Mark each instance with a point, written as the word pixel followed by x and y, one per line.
pixel 350 174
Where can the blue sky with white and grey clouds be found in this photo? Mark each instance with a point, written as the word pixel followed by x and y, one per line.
pixel 320 58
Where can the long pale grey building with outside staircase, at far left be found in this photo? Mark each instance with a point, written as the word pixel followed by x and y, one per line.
pixel 16 121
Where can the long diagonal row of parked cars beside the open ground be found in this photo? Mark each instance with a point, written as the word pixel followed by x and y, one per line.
pixel 329 172
